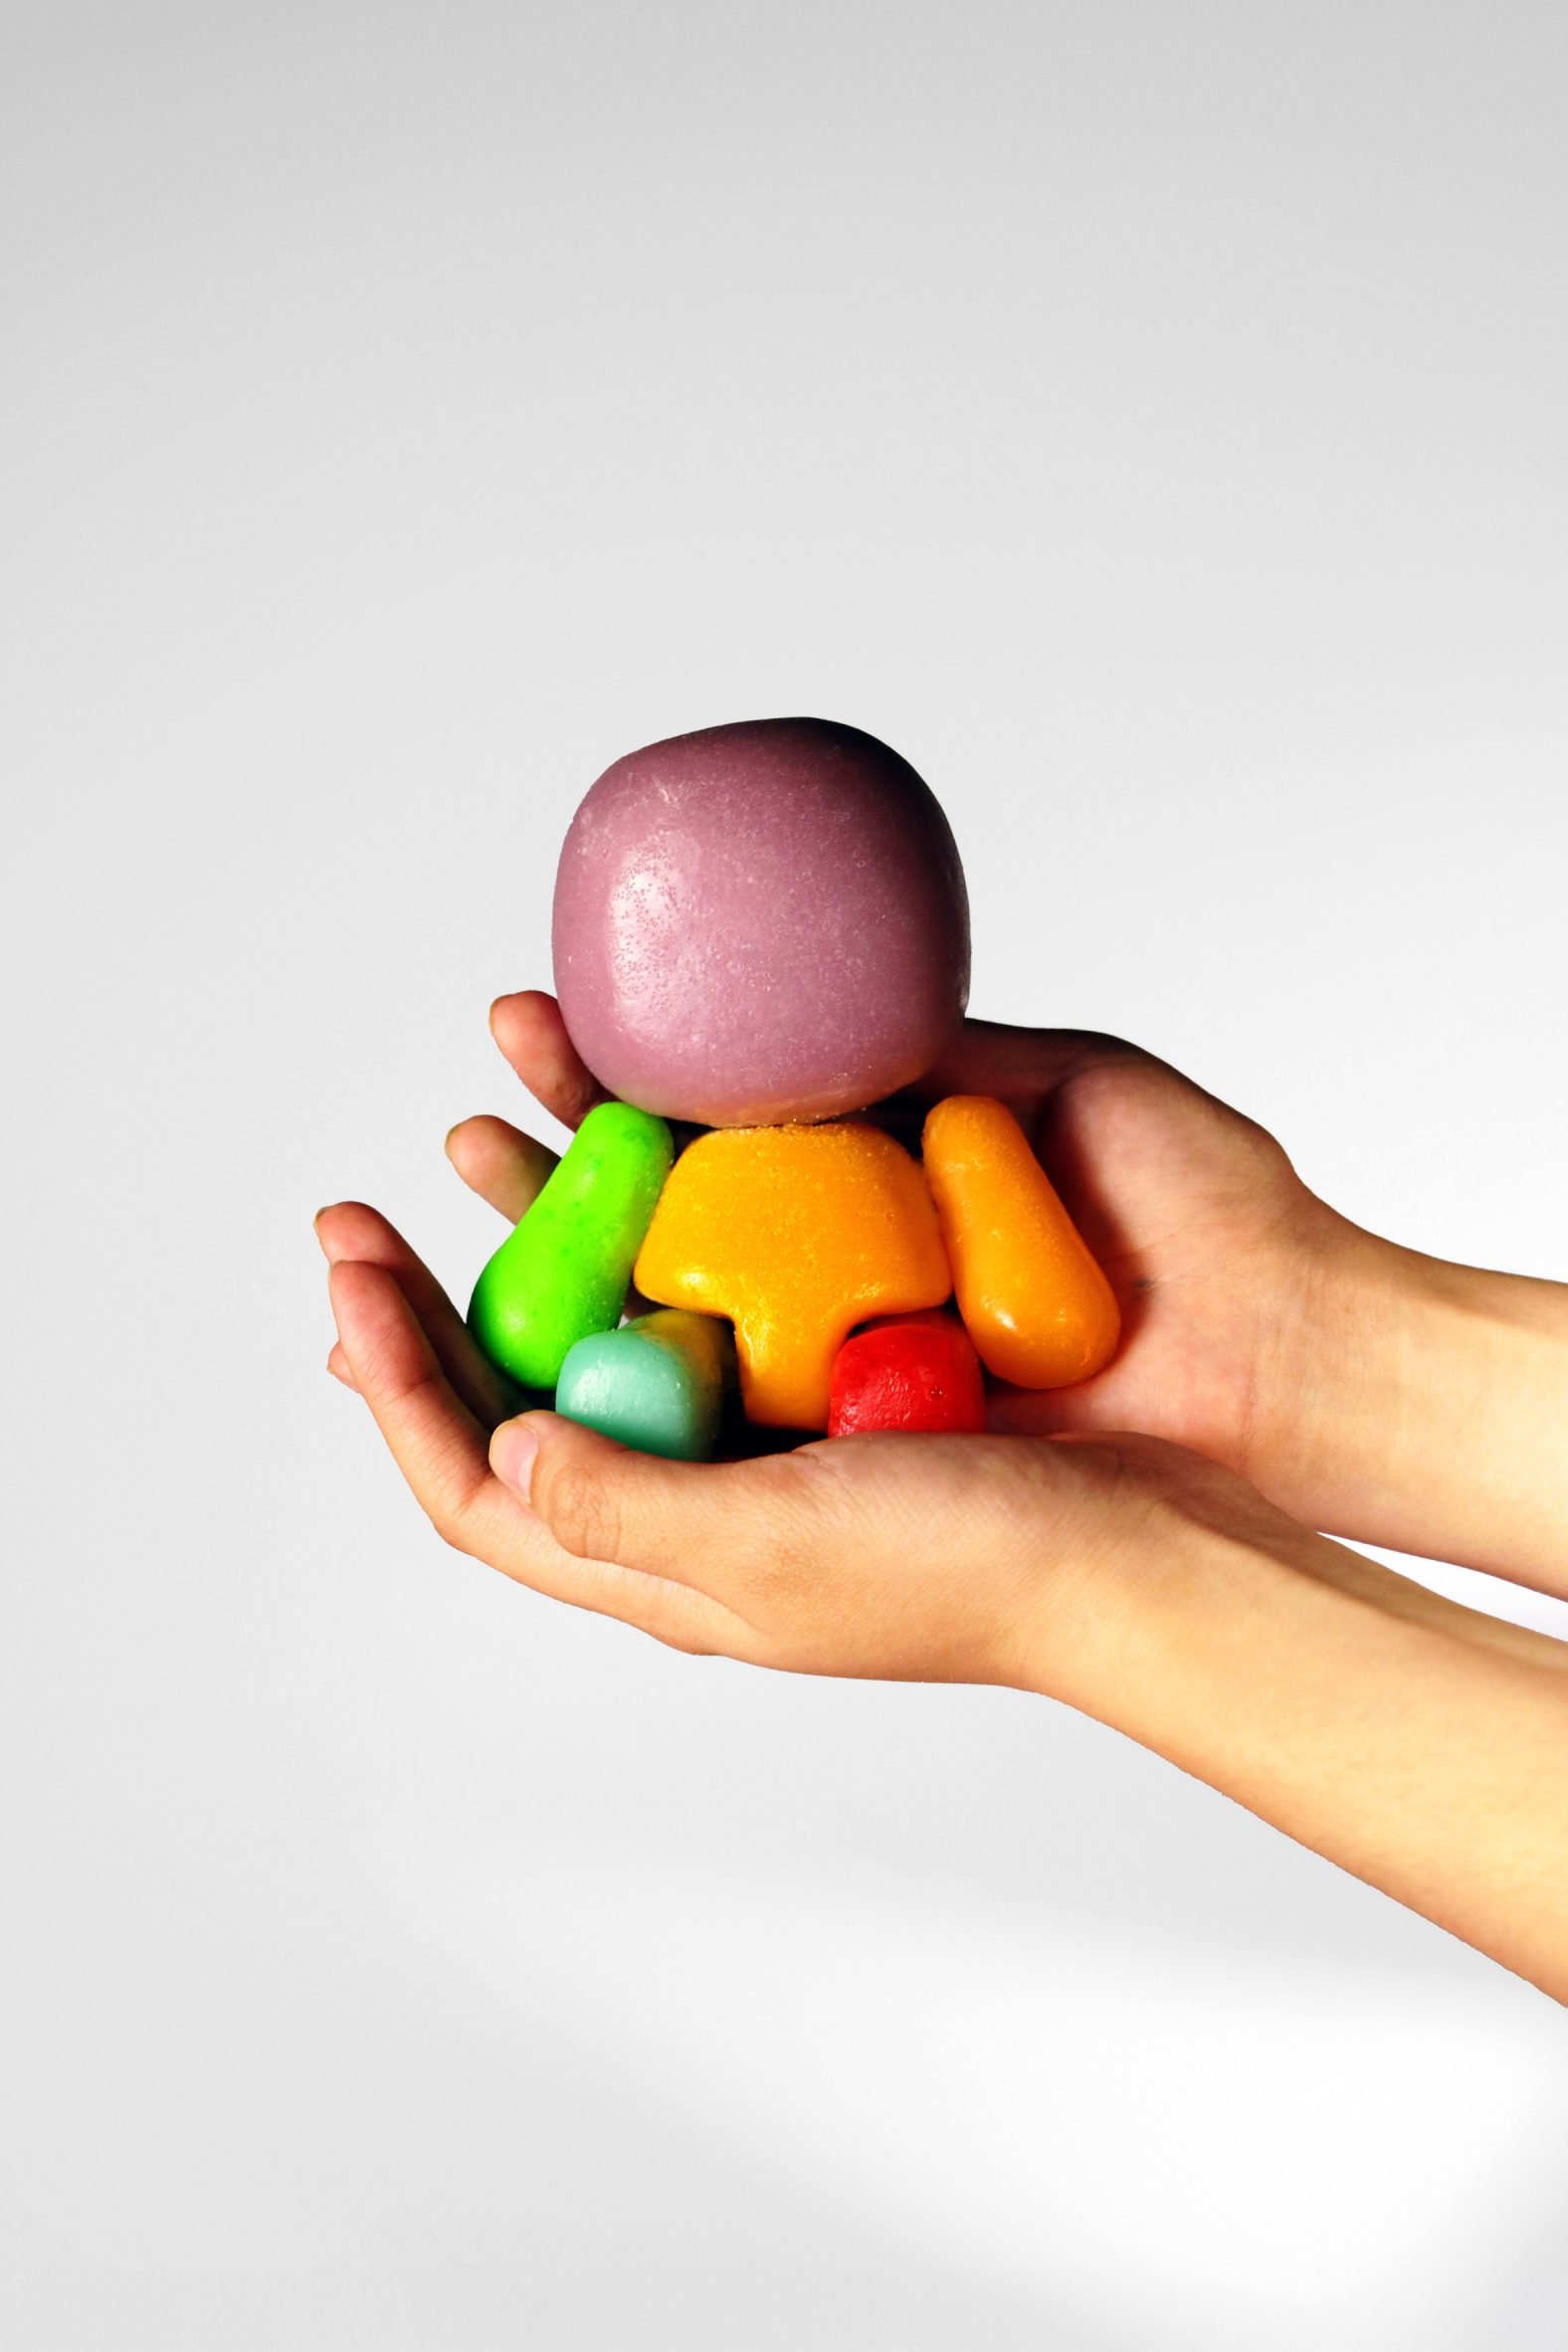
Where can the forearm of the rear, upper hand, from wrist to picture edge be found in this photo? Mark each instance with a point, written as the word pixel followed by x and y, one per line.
pixel 1435 1419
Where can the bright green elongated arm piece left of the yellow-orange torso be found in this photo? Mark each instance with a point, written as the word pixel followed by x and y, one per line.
pixel 563 1271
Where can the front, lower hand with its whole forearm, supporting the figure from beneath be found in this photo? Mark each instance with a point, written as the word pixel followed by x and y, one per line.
pixel 1412 1742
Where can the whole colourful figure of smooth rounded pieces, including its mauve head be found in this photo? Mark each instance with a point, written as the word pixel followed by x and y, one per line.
pixel 765 928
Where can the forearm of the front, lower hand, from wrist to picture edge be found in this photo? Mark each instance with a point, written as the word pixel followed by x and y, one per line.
pixel 1398 1735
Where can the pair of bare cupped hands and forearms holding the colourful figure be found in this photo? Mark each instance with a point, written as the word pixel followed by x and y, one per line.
pixel 1311 1370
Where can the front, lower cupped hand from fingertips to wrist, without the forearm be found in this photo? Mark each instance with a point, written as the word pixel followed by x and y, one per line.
pixel 894 1558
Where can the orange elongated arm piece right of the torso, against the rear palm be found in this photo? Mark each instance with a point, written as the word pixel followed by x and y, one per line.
pixel 1031 1295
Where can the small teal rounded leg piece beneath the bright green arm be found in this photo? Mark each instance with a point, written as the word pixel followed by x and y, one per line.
pixel 657 1384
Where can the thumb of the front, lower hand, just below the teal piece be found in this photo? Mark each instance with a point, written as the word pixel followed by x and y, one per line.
pixel 706 1525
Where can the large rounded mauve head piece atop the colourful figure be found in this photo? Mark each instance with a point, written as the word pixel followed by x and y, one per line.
pixel 760 923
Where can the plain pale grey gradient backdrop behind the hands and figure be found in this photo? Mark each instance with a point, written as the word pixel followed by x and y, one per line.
pixel 1153 422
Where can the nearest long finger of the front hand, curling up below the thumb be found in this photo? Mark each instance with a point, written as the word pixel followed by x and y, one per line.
pixel 443 1457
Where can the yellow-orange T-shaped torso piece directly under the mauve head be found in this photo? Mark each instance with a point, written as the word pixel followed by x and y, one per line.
pixel 796 1234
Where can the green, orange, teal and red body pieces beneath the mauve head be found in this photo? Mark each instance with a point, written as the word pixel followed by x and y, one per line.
pixel 824 1248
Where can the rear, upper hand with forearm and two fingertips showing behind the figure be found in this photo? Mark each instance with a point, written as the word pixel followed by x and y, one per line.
pixel 1358 1384
